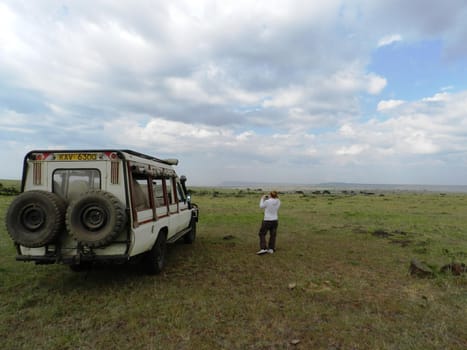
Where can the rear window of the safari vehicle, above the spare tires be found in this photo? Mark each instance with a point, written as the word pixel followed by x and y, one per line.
pixel 70 183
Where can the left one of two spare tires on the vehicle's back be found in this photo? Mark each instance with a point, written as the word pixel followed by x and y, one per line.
pixel 35 218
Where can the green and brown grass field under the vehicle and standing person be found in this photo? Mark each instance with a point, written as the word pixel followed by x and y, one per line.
pixel 333 283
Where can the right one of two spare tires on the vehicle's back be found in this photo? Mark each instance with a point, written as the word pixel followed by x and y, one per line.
pixel 95 218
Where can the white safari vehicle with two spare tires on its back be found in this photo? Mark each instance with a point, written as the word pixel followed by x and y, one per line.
pixel 81 207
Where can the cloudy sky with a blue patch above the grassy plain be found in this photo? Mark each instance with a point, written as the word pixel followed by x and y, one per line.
pixel 296 92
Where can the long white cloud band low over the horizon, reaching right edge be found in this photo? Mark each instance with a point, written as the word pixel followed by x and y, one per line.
pixel 411 129
